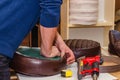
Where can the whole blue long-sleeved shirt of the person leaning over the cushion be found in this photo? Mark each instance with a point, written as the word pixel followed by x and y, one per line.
pixel 18 17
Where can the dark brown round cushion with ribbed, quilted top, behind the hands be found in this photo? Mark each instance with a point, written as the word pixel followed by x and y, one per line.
pixel 84 47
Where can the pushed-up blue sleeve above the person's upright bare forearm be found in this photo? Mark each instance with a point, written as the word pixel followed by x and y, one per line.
pixel 50 13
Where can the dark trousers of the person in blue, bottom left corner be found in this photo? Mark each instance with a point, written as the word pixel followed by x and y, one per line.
pixel 4 68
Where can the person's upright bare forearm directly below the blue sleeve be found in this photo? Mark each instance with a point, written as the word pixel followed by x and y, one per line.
pixel 48 36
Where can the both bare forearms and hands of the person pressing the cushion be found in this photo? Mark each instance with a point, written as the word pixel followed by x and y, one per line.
pixel 48 37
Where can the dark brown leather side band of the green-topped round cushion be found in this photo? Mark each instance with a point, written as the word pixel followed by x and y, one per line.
pixel 37 67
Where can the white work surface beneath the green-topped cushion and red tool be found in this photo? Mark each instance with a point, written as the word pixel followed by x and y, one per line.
pixel 72 67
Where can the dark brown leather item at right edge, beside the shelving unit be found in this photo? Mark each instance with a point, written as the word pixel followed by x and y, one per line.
pixel 114 42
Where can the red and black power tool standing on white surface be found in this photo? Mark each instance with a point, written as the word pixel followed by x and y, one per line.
pixel 89 66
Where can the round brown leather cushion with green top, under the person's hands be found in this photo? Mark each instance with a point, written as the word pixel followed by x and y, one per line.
pixel 29 61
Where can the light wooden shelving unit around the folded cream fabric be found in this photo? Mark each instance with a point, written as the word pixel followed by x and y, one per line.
pixel 97 32
